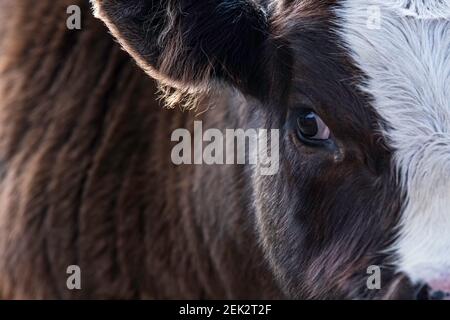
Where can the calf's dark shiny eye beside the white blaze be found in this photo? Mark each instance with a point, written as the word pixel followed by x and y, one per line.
pixel 311 127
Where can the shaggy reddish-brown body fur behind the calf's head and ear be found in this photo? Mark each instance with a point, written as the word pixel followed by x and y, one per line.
pixel 86 179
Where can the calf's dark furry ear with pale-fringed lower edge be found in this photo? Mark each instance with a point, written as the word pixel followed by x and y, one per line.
pixel 190 44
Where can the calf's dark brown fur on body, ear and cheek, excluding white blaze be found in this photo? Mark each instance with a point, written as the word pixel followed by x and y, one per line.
pixel 85 152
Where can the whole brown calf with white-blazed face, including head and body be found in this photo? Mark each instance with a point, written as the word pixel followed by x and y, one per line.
pixel 359 91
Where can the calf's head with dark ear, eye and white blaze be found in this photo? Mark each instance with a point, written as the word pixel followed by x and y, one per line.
pixel 363 111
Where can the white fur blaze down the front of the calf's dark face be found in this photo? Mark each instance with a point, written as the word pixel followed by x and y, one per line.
pixel 407 61
